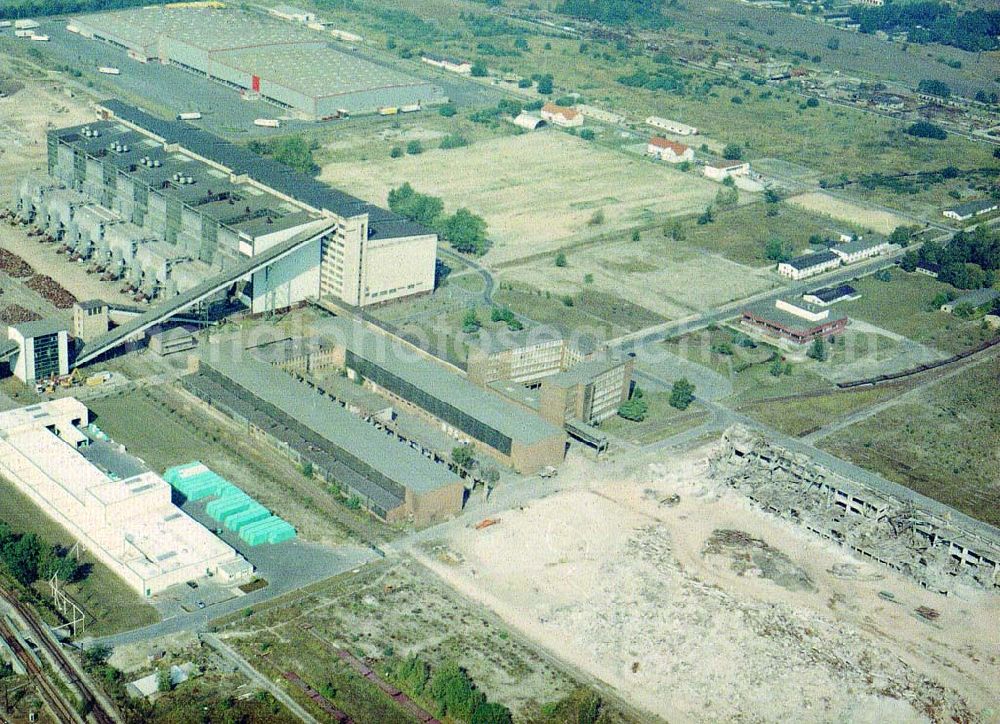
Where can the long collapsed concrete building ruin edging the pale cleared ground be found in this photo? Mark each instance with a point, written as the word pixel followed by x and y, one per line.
pixel 933 551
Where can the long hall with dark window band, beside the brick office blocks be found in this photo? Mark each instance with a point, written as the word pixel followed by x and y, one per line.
pixel 518 437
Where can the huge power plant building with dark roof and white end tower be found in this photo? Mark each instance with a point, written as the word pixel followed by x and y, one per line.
pixel 171 205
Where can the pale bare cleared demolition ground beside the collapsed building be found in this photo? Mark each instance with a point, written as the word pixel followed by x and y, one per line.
pixel 738 615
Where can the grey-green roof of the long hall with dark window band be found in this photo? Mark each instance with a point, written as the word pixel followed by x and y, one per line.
pixel 392 356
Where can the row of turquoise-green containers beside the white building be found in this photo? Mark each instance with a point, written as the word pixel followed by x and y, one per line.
pixel 236 510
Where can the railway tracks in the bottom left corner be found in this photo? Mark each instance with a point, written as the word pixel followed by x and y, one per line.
pixel 64 710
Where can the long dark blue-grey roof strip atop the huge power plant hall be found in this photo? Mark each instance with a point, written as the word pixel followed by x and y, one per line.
pixel 383 224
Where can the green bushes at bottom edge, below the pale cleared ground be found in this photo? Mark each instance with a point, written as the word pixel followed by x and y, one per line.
pixel 452 689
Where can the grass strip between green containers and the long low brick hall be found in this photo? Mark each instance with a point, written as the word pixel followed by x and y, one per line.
pixel 184 433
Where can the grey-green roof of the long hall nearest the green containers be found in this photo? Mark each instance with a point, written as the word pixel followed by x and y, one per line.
pixel 330 421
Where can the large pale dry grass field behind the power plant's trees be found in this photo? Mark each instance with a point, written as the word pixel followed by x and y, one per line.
pixel 537 191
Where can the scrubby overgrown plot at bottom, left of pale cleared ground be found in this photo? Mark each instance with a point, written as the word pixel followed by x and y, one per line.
pixel 386 612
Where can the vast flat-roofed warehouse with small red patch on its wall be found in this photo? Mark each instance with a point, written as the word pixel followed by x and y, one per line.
pixel 293 68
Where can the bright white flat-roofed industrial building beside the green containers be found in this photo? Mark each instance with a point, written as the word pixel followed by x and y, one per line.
pixel 119 512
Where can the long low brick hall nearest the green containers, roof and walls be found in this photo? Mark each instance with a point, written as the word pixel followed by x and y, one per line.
pixel 391 479
